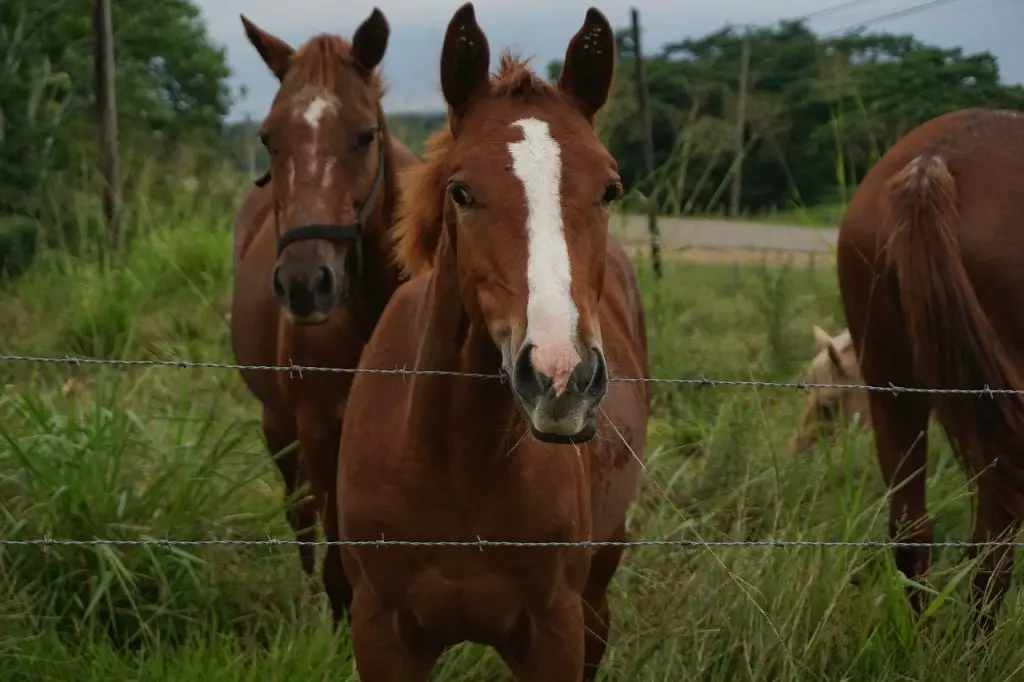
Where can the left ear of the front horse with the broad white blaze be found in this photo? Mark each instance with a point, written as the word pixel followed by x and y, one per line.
pixel 465 62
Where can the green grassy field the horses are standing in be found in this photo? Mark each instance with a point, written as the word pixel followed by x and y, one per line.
pixel 168 453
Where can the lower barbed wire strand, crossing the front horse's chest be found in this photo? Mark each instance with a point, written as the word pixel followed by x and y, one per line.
pixel 493 544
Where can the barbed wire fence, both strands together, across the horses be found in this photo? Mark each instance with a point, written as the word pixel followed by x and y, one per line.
pixel 480 543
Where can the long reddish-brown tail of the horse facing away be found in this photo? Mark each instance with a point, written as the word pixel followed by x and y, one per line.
pixel 953 340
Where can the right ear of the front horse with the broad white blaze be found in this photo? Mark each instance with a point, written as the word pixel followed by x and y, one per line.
pixel 590 64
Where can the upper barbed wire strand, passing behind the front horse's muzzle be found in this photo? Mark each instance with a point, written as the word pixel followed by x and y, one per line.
pixel 300 370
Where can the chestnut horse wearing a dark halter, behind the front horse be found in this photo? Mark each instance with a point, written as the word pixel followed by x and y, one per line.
pixel 313 259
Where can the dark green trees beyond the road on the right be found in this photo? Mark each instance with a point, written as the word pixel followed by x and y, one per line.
pixel 820 111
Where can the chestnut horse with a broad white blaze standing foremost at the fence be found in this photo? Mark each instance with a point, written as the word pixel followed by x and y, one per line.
pixel 505 234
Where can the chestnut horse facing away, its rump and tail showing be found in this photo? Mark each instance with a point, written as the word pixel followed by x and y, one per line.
pixel 928 252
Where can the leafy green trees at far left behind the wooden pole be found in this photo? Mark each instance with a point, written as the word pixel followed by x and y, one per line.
pixel 172 91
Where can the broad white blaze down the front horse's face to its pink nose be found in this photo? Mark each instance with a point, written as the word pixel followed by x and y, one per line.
pixel 551 315
